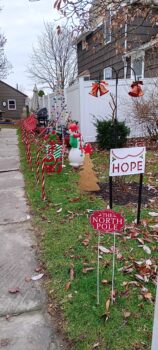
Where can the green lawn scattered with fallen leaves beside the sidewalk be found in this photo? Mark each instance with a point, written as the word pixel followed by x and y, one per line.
pixel 125 325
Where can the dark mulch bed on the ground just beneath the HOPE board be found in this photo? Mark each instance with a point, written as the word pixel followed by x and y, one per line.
pixel 127 193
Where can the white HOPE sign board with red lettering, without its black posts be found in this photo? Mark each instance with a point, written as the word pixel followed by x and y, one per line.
pixel 127 161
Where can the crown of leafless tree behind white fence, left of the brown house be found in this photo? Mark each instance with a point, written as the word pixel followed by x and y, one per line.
pixel 53 62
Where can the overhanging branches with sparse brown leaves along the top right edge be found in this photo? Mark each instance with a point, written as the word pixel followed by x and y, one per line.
pixel 86 14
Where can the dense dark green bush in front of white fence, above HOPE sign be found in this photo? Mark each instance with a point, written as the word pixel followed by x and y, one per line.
pixel 111 134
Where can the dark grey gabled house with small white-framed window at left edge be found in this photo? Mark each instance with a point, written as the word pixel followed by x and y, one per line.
pixel 12 101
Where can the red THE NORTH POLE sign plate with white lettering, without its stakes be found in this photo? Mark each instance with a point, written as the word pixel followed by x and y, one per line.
pixel 107 221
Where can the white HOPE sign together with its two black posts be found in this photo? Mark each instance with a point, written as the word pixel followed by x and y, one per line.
pixel 127 161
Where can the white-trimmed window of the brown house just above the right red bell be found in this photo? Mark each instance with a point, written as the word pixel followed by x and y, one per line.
pixel 137 63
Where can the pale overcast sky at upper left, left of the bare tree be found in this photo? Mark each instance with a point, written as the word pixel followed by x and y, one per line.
pixel 22 21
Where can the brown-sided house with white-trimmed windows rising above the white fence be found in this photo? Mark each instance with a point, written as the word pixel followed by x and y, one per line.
pixel 136 46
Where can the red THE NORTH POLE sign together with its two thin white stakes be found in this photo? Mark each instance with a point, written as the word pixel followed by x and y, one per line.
pixel 106 221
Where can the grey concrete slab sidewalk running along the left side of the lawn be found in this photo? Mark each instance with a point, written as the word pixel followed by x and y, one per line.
pixel 28 326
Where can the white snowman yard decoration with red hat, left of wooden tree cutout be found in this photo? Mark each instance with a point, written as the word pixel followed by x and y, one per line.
pixel 76 154
